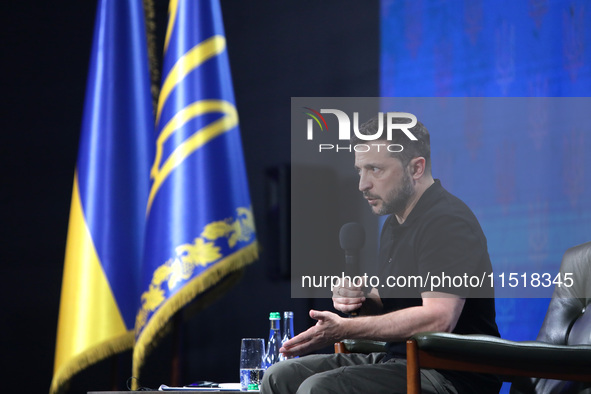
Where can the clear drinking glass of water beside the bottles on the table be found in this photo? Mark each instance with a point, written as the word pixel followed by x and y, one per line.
pixel 252 353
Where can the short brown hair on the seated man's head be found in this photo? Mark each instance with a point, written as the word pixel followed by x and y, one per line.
pixel 411 149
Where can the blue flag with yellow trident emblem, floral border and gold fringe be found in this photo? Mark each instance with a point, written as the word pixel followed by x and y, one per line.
pixel 200 226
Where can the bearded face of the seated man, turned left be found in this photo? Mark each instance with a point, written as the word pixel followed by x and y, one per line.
pixel 385 183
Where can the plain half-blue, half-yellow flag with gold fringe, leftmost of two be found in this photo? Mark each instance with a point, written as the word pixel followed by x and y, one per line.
pixel 100 287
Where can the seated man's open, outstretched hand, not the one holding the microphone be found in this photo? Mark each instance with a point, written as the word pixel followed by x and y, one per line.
pixel 327 330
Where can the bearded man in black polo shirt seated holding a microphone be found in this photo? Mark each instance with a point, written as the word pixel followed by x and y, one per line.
pixel 429 233
